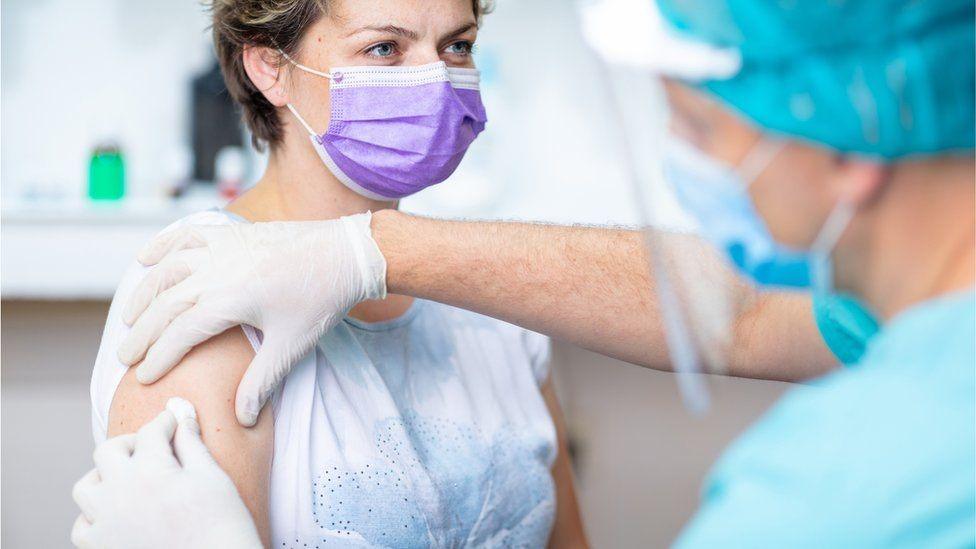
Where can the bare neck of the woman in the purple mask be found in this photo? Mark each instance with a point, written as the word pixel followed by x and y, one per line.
pixel 296 186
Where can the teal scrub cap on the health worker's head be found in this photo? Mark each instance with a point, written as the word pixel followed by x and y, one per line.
pixel 884 78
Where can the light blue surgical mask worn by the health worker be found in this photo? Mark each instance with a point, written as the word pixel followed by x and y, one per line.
pixel 717 196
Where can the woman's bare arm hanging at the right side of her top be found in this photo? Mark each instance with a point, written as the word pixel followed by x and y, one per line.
pixel 567 530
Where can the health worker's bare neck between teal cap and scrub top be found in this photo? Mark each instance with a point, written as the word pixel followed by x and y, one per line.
pixel 916 241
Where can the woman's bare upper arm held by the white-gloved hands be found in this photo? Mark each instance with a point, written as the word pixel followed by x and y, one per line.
pixel 208 377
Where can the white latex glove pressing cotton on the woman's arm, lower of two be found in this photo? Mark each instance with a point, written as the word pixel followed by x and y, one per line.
pixel 142 495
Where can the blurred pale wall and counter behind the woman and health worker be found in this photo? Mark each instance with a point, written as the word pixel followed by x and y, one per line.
pixel 74 73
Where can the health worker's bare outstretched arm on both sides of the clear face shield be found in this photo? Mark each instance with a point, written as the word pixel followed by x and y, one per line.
pixel 587 286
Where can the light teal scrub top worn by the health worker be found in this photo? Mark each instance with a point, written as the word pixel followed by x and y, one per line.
pixel 882 454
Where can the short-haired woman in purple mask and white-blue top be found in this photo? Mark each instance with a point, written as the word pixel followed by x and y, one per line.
pixel 411 423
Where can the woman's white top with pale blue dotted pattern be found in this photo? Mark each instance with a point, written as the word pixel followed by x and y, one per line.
pixel 428 430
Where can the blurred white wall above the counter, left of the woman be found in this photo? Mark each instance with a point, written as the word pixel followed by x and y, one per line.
pixel 75 73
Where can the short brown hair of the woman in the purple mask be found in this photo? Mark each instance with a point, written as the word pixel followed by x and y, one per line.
pixel 272 24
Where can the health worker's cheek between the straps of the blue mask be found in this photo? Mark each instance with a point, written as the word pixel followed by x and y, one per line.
pixel 791 202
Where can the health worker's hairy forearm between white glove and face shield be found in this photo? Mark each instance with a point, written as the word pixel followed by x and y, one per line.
pixel 588 286
